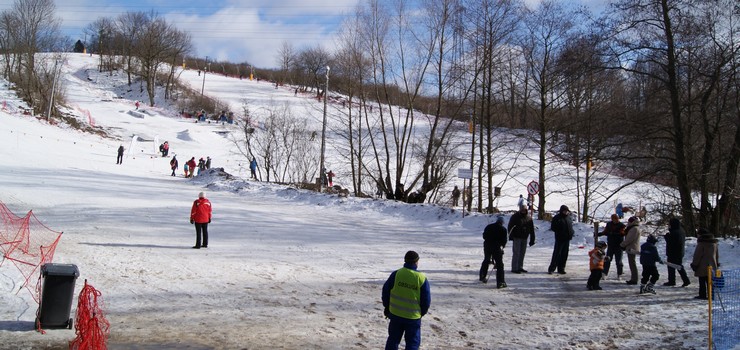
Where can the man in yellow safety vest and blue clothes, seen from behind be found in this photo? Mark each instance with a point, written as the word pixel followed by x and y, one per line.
pixel 406 298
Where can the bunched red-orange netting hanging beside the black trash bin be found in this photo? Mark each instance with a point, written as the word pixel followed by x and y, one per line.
pixel 91 327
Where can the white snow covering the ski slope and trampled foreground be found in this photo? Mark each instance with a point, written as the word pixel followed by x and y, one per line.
pixel 285 268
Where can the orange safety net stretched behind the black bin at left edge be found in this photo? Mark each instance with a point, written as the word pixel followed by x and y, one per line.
pixel 28 244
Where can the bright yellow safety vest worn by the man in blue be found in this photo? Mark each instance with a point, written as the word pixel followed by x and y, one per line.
pixel 406 293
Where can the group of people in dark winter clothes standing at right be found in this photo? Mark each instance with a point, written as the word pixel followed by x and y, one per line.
pixel 620 239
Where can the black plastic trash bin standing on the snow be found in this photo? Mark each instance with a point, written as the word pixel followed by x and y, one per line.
pixel 56 295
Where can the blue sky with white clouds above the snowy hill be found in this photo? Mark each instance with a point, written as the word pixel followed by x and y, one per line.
pixel 250 31
